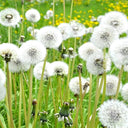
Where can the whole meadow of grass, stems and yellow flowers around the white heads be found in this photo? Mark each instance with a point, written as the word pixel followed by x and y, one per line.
pixel 49 102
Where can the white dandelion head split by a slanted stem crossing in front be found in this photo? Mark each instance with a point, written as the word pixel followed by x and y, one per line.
pixel 38 70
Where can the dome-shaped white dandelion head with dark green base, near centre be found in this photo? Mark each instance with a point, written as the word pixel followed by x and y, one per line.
pixel 59 68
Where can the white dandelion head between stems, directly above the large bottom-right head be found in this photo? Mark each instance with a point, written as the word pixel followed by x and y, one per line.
pixel 111 85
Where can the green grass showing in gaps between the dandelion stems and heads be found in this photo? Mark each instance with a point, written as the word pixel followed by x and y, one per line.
pixel 94 8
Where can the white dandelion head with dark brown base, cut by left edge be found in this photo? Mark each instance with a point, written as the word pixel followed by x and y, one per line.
pixel 8 51
